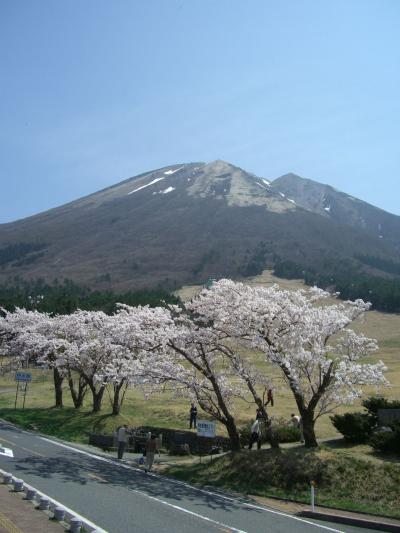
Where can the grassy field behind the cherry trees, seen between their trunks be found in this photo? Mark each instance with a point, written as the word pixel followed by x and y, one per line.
pixel 166 411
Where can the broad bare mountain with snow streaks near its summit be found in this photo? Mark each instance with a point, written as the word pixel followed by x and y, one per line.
pixel 185 222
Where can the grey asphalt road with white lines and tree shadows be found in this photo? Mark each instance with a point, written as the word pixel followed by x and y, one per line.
pixel 123 499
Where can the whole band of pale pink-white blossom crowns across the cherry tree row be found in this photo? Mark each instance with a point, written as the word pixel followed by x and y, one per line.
pixel 196 350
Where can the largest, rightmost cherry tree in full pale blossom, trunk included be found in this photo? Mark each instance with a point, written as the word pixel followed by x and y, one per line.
pixel 306 337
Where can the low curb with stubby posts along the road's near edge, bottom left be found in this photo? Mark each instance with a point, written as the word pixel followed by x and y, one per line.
pixel 43 502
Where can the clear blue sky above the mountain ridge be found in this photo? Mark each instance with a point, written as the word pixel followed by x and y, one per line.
pixel 95 91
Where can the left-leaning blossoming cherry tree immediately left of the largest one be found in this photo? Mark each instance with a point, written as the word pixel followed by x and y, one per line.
pixel 191 360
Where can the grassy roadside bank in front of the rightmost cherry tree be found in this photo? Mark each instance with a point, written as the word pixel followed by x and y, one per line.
pixel 342 481
